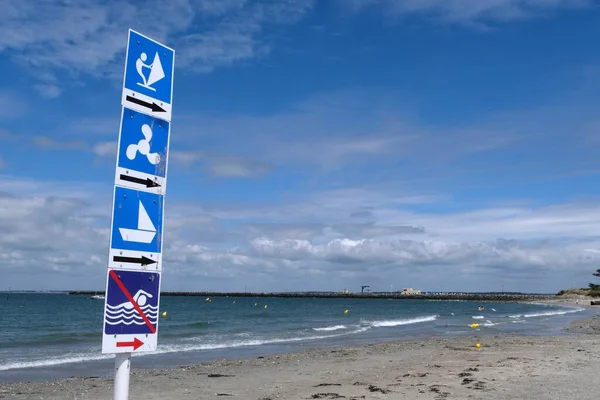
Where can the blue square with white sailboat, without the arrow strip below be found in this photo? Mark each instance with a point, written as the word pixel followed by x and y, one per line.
pixel 137 220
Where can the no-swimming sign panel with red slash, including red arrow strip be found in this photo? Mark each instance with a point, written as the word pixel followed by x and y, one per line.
pixel 131 311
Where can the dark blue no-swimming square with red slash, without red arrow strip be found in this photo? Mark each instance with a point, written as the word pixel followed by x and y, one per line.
pixel 131 302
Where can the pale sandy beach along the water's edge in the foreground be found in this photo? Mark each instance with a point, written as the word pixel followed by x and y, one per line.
pixel 504 367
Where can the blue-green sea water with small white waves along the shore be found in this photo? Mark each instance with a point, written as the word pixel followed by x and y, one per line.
pixel 52 336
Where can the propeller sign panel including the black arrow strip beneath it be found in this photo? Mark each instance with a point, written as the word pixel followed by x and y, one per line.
pixel 143 151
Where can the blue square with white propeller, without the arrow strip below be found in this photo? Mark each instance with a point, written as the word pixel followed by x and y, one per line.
pixel 143 143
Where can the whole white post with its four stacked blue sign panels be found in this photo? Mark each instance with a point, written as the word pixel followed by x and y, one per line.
pixel 133 281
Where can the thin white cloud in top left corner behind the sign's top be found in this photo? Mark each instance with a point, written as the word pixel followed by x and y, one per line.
pixel 90 38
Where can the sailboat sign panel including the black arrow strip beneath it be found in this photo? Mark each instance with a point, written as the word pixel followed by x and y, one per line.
pixel 136 237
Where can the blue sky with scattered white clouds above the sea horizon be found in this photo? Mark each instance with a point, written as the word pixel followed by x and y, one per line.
pixel 315 145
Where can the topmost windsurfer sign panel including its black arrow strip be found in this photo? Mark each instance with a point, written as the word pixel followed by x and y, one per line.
pixel 148 79
